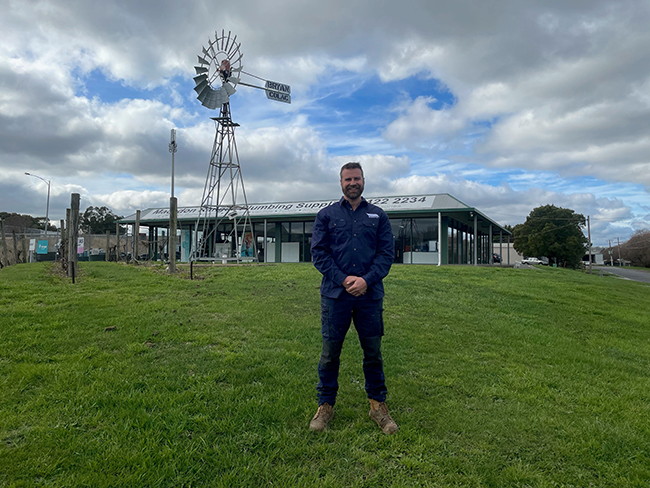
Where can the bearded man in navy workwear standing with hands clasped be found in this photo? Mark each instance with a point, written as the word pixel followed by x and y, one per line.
pixel 352 246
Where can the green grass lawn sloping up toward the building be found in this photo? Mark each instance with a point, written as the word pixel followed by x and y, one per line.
pixel 497 377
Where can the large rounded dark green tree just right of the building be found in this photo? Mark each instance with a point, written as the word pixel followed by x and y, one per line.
pixel 553 232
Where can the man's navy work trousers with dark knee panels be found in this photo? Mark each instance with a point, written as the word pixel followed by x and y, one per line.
pixel 336 316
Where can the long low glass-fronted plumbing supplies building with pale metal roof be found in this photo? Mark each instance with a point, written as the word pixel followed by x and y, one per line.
pixel 428 229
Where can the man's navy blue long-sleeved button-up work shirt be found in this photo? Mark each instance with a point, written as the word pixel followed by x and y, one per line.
pixel 348 242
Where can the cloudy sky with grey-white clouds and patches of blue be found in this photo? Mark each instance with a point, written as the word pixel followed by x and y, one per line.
pixel 506 105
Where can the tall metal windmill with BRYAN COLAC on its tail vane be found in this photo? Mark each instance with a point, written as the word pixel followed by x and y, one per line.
pixel 223 228
